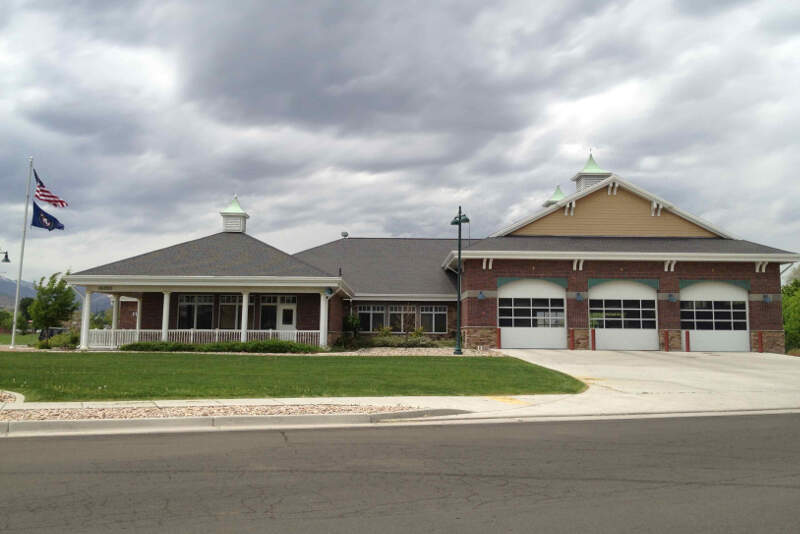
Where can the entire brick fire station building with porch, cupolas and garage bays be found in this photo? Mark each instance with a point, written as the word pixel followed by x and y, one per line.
pixel 610 266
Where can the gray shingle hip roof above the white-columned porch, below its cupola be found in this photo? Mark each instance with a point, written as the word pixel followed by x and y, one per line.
pixel 222 254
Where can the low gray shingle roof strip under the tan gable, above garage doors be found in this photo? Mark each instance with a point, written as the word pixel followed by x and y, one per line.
pixel 625 244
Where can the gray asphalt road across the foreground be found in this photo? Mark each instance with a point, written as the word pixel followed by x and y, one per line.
pixel 722 474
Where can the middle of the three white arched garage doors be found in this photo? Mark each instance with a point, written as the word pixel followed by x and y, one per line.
pixel 623 315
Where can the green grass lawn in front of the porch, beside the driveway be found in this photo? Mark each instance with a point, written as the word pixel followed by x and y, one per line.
pixel 98 376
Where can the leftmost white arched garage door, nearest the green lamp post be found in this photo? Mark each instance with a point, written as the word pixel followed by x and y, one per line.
pixel 530 314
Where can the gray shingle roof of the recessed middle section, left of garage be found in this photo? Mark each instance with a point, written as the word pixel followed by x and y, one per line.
pixel 387 265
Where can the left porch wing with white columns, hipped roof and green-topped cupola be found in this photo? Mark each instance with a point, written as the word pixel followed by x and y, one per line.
pixel 226 286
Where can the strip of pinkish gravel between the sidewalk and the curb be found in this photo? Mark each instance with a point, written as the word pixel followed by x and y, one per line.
pixel 71 414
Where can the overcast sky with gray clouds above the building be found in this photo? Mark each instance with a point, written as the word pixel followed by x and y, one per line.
pixel 380 117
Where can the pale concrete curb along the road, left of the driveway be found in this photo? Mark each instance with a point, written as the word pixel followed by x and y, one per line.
pixel 11 429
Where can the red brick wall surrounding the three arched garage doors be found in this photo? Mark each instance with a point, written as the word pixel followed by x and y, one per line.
pixel 763 316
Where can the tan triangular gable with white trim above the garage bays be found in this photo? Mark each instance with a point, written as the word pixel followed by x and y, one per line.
pixel 613 207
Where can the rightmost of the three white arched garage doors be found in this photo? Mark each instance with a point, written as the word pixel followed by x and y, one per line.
pixel 714 314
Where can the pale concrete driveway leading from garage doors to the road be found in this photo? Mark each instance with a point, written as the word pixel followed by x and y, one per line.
pixel 643 382
